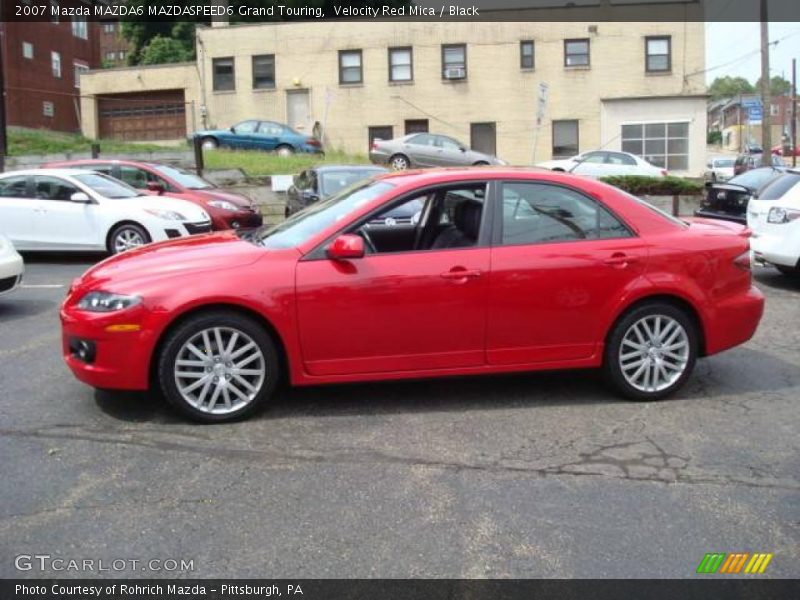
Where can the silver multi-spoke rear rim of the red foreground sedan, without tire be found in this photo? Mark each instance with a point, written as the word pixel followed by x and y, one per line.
pixel 654 353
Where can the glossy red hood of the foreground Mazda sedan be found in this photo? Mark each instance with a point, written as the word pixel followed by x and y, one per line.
pixel 223 250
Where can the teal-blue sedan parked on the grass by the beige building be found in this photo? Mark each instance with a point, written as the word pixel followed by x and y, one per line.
pixel 259 135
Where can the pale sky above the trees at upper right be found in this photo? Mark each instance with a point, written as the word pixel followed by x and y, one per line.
pixel 726 42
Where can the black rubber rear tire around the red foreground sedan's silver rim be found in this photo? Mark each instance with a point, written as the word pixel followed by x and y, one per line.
pixel 612 355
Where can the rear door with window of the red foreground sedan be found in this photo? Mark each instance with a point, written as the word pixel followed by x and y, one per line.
pixel 561 263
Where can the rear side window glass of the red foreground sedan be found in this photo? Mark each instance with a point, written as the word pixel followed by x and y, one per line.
pixel 537 213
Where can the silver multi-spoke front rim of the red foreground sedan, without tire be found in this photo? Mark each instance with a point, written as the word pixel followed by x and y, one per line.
pixel 220 370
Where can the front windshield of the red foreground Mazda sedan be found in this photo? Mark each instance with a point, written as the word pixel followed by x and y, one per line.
pixel 304 225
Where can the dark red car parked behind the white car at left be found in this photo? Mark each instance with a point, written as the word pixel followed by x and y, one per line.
pixel 227 210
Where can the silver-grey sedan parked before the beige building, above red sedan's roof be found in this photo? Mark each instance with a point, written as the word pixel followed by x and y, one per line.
pixel 427 150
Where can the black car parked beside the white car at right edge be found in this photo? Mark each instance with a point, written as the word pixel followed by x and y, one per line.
pixel 728 200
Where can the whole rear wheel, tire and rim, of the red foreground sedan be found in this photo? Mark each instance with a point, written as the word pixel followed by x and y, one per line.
pixel 651 351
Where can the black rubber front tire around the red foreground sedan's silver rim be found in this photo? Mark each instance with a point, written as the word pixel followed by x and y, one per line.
pixel 230 320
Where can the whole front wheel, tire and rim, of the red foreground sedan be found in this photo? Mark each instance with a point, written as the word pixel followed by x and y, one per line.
pixel 218 366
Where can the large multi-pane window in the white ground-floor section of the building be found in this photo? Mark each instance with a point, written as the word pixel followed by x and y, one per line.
pixel 665 145
